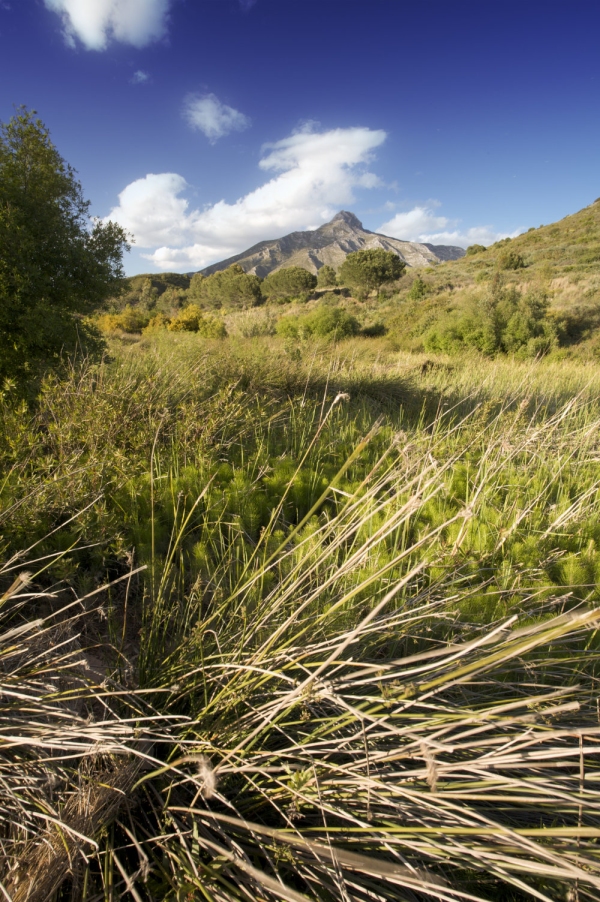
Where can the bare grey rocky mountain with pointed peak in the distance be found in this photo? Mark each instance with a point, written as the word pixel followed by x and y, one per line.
pixel 330 244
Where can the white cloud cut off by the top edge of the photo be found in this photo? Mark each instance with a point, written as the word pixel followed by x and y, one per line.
pixel 95 22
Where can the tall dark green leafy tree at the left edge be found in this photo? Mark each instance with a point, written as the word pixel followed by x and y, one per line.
pixel 55 264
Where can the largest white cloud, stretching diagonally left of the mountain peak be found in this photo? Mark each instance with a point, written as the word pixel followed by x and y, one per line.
pixel 313 175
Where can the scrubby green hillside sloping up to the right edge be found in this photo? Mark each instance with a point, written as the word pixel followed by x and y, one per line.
pixel 557 266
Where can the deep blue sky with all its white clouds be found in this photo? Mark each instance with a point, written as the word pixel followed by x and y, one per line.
pixel 204 126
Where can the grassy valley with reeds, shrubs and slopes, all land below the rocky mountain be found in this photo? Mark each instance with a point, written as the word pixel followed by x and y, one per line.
pixel 301 587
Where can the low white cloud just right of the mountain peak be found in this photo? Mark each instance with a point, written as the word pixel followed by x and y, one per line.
pixel 423 224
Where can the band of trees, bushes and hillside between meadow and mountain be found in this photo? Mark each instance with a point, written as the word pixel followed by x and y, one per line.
pixel 532 295
